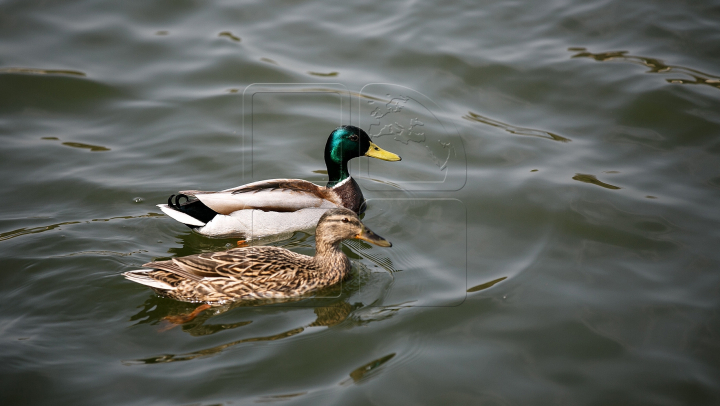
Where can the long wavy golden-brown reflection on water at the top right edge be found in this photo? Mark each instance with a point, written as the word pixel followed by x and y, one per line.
pixel 655 65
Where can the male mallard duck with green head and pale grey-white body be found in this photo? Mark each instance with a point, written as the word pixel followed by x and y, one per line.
pixel 280 205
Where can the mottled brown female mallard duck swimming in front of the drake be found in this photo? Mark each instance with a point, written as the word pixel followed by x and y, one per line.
pixel 260 272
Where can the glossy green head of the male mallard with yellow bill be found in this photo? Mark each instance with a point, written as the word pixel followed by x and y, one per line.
pixel 348 142
